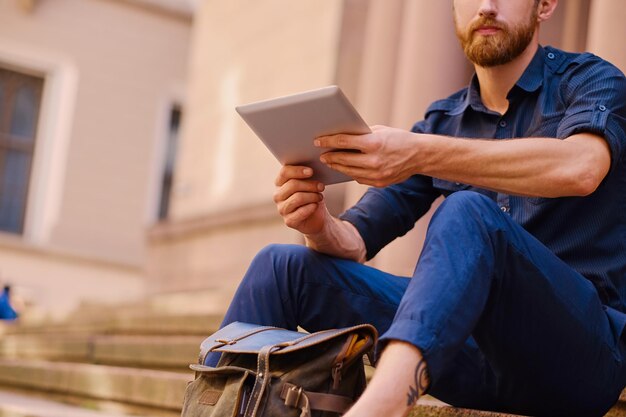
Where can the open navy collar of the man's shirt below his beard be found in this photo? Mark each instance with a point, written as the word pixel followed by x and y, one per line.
pixel 530 81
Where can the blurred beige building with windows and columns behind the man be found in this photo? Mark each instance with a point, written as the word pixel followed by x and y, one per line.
pixel 129 187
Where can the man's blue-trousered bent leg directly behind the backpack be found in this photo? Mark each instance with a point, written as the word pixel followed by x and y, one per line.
pixel 289 286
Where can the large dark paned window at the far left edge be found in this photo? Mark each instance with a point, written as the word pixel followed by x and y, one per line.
pixel 20 99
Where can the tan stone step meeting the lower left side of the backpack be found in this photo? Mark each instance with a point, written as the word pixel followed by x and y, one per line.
pixel 159 389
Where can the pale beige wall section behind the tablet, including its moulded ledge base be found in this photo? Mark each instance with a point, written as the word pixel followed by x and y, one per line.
pixel 222 207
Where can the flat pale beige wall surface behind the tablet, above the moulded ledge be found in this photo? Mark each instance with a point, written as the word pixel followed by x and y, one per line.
pixel 243 52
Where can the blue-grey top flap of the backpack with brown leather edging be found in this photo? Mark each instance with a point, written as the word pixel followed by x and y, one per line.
pixel 250 338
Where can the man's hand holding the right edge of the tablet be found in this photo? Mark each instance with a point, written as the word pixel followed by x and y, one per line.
pixel 386 156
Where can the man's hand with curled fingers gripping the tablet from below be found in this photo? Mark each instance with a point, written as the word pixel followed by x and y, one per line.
pixel 300 200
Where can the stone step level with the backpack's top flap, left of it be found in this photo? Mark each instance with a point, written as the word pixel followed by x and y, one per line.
pixel 159 352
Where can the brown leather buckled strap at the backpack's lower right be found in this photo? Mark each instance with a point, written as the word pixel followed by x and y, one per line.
pixel 295 396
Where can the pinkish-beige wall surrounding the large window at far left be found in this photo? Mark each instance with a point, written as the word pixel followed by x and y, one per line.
pixel 127 65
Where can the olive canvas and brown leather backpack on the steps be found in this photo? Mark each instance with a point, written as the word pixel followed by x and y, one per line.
pixel 269 372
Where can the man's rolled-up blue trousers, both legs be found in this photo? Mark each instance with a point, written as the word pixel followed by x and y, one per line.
pixel 503 324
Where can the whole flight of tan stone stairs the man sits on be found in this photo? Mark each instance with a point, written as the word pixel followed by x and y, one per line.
pixel 134 365
